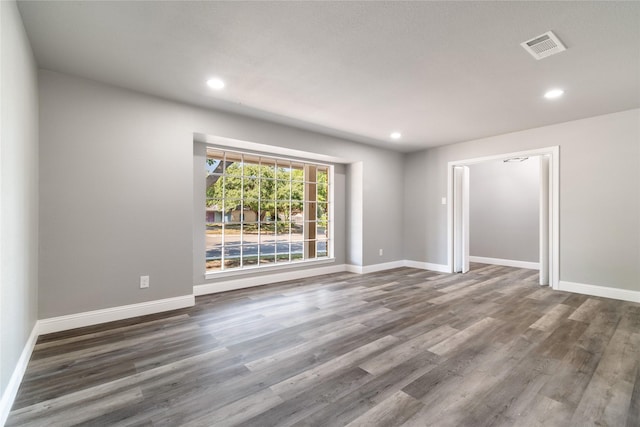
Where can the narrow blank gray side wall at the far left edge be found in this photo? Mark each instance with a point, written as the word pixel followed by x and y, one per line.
pixel 19 191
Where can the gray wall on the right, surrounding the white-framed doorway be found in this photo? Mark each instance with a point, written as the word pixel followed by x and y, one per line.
pixel 599 196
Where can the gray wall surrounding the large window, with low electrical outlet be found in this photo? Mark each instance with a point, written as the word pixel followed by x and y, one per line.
pixel 117 192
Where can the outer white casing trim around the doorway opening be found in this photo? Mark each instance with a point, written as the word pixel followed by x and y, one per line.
pixel 553 154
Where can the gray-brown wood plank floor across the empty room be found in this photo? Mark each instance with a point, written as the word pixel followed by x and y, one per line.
pixel 402 347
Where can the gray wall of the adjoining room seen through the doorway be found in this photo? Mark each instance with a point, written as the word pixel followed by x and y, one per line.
pixel 504 203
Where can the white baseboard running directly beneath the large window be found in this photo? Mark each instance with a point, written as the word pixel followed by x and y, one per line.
pixel 249 282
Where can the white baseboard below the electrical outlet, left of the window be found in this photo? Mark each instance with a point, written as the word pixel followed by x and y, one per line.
pixel 88 318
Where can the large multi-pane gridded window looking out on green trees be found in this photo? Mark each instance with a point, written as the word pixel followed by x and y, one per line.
pixel 263 210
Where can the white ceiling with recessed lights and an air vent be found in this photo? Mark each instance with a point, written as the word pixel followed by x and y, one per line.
pixel 439 72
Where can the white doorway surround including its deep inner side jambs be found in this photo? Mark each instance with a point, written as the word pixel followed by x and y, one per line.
pixel 458 212
